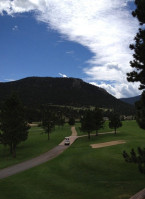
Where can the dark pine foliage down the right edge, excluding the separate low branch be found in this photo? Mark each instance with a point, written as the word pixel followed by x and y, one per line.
pixel 138 63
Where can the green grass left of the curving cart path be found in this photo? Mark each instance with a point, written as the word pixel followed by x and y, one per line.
pixel 36 144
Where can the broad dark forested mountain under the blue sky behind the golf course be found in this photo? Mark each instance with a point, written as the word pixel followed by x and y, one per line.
pixel 35 91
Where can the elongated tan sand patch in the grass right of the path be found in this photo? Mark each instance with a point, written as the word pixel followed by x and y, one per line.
pixel 105 144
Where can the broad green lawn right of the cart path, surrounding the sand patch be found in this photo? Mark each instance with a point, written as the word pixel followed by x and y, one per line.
pixel 82 172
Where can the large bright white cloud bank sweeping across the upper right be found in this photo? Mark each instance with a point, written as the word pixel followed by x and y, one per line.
pixel 105 27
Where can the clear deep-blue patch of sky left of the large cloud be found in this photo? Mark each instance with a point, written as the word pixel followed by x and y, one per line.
pixel 29 48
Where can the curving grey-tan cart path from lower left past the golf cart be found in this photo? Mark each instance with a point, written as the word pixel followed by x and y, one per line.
pixel 38 160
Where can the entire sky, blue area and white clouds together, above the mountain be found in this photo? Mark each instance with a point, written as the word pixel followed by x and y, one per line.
pixel 87 39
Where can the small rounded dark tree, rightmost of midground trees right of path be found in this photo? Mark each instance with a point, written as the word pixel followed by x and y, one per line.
pixel 115 122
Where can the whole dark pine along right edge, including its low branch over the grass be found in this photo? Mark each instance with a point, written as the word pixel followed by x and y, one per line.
pixel 138 75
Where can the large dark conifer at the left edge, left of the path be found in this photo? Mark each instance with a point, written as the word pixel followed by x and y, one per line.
pixel 14 128
